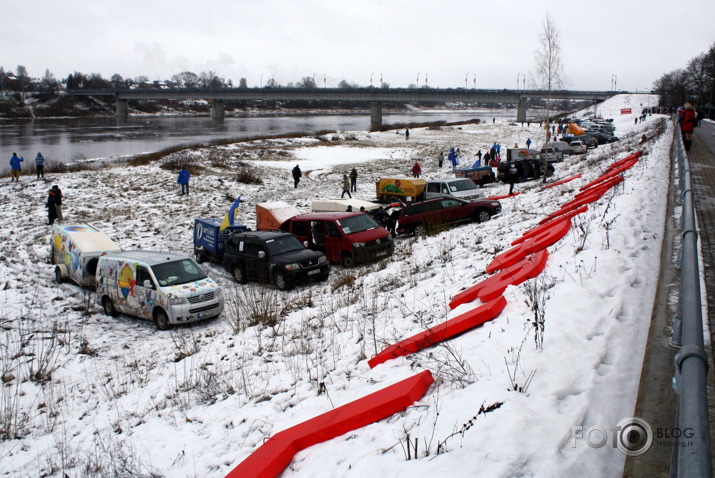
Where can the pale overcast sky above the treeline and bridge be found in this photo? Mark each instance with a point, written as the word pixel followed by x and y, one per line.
pixel 403 42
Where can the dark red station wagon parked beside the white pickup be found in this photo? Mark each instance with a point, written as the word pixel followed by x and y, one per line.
pixel 420 217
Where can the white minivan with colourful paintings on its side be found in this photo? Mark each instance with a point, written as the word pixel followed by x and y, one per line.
pixel 160 286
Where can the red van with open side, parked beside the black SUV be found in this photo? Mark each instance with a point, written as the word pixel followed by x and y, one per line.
pixel 348 237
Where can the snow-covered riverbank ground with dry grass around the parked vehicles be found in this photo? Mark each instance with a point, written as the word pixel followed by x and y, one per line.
pixel 84 394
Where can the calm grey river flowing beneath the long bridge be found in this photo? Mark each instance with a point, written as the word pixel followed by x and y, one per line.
pixel 68 140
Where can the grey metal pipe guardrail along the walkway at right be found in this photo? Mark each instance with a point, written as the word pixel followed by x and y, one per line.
pixel 693 459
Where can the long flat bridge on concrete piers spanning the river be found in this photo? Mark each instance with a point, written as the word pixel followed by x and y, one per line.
pixel 375 96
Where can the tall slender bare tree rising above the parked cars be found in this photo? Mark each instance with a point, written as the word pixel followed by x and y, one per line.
pixel 549 69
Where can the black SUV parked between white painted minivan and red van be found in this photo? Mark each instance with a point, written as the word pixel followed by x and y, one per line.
pixel 273 256
